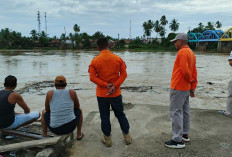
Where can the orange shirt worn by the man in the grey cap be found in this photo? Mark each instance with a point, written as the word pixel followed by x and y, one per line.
pixel 184 75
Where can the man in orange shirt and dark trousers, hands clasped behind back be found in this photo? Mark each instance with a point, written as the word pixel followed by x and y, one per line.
pixel 108 72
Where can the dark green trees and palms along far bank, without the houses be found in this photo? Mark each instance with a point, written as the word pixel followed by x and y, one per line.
pixel 13 39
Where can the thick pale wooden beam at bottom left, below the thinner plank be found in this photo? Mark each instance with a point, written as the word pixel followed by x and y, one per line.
pixel 30 144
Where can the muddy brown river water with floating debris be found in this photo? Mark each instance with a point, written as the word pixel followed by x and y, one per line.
pixel 148 80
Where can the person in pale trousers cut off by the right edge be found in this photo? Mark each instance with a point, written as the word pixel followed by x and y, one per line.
pixel 228 111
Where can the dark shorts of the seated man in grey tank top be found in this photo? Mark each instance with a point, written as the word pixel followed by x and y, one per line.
pixel 65 128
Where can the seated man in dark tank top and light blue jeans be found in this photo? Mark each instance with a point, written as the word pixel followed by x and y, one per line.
pixel 8 99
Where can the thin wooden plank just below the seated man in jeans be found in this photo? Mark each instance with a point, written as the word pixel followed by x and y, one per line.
pixel 21 133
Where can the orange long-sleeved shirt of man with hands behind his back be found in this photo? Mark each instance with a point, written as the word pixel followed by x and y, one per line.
pixel 107 68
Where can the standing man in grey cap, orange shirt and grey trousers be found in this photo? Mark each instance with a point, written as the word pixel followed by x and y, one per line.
pixel 183 84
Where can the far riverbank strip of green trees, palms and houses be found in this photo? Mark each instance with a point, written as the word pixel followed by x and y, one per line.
pixel 75 40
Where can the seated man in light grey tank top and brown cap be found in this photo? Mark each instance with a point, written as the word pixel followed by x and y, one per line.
pixel 62 112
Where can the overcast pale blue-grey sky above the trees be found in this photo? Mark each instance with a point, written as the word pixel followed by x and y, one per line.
pixel 112 17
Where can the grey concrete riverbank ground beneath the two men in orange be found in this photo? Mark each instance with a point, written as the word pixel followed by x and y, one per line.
pixel 150 127
